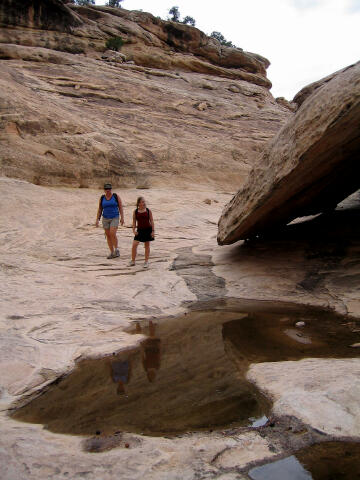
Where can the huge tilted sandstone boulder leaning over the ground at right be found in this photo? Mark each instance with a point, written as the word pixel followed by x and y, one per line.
pixel 309 167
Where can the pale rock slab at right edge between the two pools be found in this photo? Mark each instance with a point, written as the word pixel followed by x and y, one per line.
pixel 294 393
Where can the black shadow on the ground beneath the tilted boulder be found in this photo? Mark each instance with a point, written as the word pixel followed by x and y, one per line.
pixel 326 242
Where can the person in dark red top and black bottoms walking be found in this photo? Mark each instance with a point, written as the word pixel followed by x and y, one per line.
pixel 144 230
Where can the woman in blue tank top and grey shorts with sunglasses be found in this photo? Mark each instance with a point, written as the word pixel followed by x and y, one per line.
pixel 109 207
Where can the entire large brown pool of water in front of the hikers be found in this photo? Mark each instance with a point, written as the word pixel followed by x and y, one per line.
pixel 189 373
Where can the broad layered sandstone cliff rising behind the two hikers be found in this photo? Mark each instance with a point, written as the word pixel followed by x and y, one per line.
pixel 181 108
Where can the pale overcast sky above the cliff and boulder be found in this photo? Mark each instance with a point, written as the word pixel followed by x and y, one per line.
pixel 304 40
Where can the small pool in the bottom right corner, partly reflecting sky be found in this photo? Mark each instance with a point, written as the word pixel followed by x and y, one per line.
pixel 324 461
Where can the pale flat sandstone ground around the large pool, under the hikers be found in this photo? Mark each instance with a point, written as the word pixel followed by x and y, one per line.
pixel 62 300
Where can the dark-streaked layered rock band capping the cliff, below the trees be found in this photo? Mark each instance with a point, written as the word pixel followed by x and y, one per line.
pixel 150 40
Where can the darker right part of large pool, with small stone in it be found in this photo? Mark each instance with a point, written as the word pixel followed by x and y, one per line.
pixel 271 337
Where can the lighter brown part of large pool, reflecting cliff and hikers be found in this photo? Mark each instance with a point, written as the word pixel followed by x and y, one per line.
pixel 179 380
